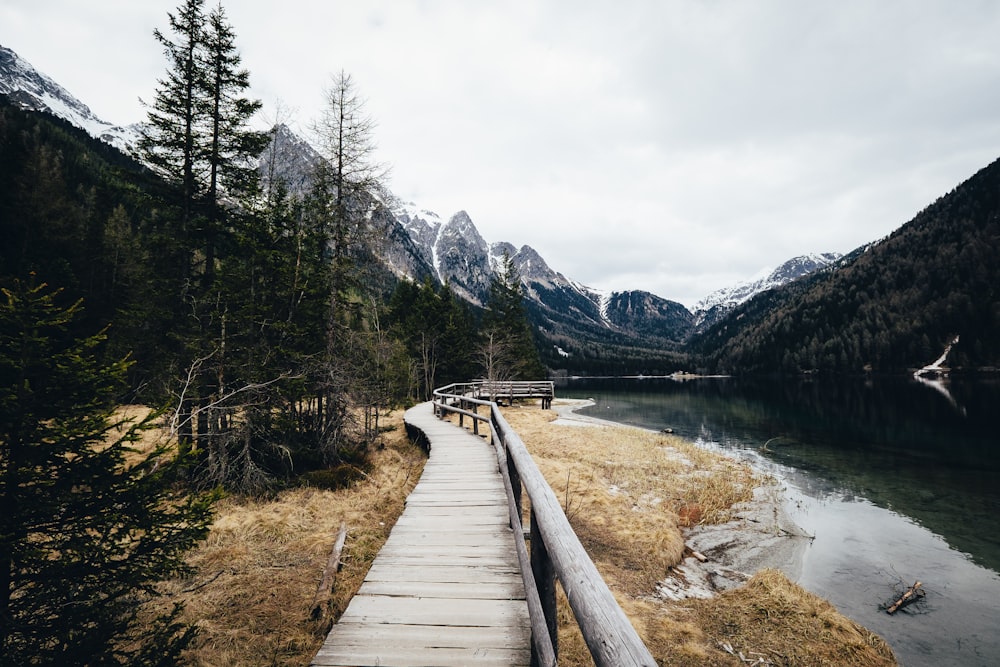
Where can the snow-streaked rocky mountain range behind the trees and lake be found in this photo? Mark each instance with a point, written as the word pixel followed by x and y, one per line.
pixel 575 322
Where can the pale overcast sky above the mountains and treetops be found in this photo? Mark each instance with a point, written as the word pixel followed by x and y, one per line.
pixel 670 146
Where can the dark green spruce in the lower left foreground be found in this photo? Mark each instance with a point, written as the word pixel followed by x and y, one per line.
pixel 84 535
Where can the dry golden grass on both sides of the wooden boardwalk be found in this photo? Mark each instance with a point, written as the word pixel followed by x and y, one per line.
pixel 628 494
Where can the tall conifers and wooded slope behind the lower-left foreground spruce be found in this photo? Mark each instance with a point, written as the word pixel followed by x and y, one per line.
pixel 258 313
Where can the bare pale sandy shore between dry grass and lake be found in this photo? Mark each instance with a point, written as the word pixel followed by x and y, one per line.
pixel 761 534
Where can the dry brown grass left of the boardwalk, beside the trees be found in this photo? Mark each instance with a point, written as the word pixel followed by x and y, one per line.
pixel 260 566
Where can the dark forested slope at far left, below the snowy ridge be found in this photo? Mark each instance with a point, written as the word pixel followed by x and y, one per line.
pixel 83 216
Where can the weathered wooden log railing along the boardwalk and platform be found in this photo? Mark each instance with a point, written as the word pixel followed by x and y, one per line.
pixel 556 552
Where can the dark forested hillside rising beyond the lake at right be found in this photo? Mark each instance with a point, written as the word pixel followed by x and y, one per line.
pixel 891 306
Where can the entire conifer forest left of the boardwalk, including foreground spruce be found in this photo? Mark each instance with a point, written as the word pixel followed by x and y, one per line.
pixel 256 321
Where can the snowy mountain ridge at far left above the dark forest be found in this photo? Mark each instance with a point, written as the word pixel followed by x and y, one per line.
pixel 34 91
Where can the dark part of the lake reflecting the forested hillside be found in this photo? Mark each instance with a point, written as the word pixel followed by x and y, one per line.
pixel 902 444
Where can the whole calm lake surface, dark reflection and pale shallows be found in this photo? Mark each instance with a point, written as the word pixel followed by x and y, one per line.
pixel 898 480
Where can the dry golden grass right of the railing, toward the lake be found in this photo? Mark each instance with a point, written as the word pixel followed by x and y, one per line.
pixel 628 494
